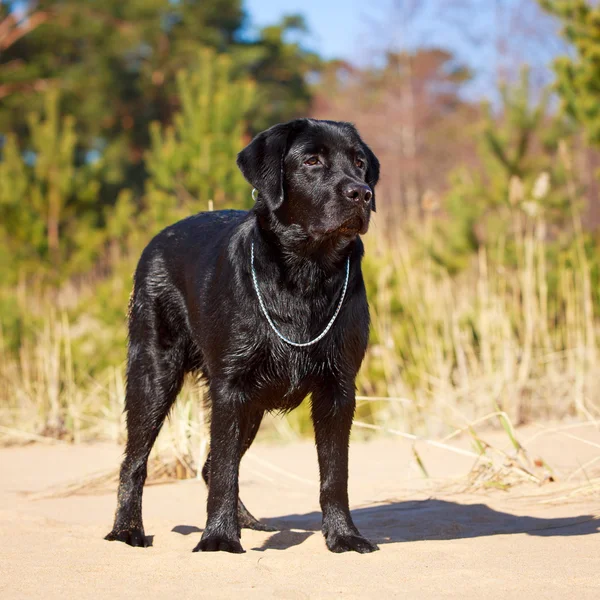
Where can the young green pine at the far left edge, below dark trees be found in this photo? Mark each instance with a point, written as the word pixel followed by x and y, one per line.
pixel 48 216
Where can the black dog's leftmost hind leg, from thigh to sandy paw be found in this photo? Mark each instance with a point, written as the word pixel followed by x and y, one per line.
pixel 154 377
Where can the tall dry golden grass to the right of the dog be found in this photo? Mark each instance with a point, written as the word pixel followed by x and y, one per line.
pixel 520 337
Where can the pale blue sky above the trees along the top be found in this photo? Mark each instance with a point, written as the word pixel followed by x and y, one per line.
pixel 361 30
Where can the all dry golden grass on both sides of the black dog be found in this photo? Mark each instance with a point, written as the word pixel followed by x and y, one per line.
pixel 504 342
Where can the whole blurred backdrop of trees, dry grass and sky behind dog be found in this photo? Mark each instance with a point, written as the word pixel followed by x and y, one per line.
pixel 483 266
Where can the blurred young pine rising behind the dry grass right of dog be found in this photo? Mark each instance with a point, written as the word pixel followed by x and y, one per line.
pixel 520 169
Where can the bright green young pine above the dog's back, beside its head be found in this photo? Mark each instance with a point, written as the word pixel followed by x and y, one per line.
pixel 193 161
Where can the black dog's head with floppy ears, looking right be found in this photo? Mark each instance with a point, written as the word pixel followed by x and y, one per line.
pixel 316 176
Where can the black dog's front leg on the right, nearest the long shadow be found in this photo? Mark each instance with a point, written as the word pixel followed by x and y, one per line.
pixel 332 414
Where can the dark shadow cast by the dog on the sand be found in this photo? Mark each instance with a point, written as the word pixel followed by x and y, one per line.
pixel 395 522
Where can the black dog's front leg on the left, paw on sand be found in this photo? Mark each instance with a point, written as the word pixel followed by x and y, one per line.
pixel 226 438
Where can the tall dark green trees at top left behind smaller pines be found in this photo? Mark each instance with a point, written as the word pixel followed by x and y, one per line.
pixel 116 62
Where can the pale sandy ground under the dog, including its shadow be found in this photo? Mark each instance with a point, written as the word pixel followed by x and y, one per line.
pixel 437 538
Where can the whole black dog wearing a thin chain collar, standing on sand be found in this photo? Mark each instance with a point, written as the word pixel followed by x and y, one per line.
pixel 217 292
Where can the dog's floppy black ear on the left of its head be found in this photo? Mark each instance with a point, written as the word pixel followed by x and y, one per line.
pixel 261 163
